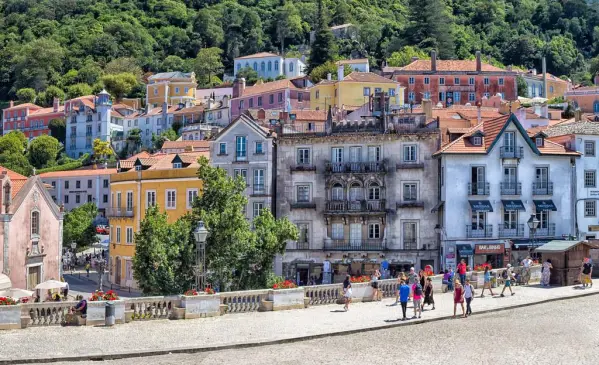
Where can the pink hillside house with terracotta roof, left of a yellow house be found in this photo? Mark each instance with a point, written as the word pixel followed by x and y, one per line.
pixel 284 94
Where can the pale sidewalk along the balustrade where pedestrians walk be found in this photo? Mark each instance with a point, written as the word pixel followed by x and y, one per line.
pixel 246 328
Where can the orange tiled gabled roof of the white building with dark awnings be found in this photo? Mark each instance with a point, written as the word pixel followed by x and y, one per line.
pixel 493 129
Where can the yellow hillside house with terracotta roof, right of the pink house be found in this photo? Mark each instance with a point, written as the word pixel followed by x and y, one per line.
pixel 354 90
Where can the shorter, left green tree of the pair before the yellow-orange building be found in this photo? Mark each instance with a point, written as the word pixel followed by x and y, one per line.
pixel 164 254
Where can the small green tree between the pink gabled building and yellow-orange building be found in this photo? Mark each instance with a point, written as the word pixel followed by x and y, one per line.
pixel 79 227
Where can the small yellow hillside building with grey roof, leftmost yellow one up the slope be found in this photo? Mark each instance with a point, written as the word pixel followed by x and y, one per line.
pixel 172 88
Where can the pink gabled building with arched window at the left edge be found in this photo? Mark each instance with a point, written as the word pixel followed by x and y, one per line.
pixel 31 233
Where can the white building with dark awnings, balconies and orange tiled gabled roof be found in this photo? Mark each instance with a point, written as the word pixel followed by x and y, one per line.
pixel 493 180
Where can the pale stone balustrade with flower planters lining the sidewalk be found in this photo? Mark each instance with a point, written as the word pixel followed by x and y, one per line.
pixel 204 305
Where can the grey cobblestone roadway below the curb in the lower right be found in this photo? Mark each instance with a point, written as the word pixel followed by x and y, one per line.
pixel 562 332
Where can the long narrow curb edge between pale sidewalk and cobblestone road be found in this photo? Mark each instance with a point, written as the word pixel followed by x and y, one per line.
pixel 191 350
